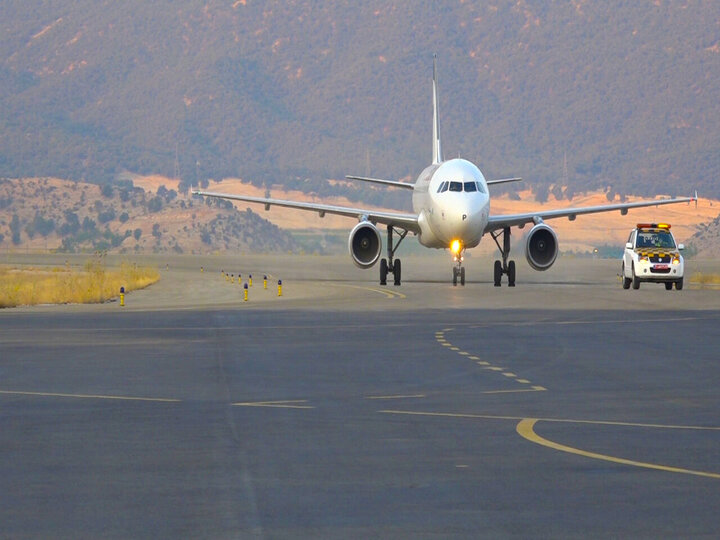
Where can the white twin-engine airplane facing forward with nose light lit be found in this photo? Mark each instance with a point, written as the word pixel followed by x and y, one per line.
pixel 451 209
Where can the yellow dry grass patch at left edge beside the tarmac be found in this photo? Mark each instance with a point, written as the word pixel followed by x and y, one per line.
pixel 93 284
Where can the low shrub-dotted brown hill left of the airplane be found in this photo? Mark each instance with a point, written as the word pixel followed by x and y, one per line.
pixel 48 213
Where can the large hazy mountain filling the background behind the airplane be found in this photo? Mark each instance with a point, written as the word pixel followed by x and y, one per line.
pixel 625 93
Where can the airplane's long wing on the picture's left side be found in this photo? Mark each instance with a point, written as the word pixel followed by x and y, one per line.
pixel 405 221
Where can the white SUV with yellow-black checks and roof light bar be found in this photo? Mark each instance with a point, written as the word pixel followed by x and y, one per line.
pixel 652 255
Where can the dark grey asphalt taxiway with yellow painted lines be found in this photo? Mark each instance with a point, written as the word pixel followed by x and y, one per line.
pixel 565 407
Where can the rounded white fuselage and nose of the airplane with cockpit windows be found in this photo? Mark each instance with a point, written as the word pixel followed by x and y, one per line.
pixel 453 204
